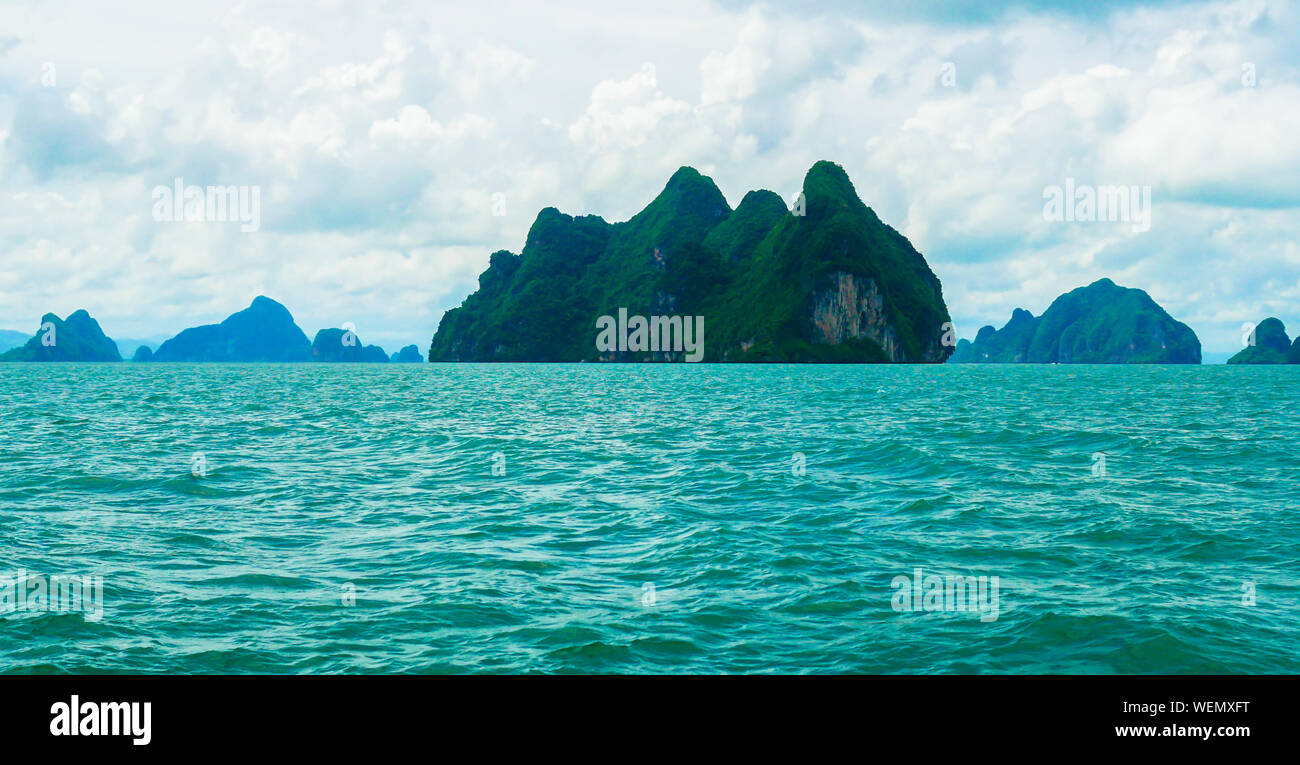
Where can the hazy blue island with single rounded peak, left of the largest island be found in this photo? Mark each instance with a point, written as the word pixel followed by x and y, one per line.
pixel 263 332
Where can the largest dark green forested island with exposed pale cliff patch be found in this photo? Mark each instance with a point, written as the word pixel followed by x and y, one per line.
pixel 827 282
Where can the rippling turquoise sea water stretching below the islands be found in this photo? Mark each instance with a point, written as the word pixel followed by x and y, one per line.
pixel 525 518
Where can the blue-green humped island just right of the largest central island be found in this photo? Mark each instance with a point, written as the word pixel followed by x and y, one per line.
pixel 1099 325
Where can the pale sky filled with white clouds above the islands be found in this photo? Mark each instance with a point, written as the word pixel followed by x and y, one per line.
pixel 380 136
